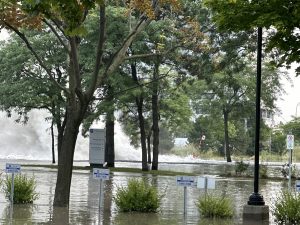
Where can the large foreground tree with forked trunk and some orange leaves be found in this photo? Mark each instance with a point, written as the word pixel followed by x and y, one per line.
pixel 66 20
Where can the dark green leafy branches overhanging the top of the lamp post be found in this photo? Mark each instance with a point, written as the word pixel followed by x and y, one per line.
pixel 280 17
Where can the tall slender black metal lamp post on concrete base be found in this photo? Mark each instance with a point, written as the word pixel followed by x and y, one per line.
pixel 255 198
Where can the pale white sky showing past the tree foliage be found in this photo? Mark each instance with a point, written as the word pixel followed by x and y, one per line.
pixel 287 103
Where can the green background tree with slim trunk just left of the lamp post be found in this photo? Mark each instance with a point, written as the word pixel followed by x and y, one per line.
pixel 227 70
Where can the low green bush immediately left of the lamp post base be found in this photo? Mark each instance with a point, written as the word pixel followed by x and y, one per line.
pixel 215 207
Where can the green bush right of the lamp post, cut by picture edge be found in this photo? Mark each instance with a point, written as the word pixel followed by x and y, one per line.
pixel 286 208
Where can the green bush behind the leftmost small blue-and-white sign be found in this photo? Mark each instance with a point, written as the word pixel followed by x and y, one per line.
pixel 24 189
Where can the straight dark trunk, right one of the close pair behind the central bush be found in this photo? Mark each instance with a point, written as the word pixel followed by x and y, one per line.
pixel 155 117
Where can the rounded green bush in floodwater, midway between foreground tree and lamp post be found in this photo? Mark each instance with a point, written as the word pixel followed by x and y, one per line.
pixel 137 196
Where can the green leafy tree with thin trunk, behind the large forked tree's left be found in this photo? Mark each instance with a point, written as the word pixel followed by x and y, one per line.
pixel 25 86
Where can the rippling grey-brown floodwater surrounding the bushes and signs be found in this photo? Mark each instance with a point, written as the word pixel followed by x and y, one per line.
pixel 84 200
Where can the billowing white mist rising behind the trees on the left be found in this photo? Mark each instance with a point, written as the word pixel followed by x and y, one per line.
pixel 32 140
